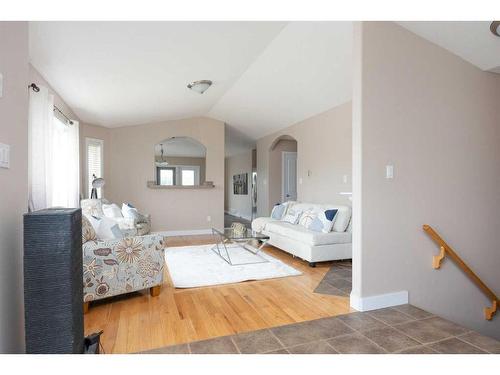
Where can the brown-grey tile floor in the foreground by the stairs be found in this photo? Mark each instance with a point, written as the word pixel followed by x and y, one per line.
pixel 401 329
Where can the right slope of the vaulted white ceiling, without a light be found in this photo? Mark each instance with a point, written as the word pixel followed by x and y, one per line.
pixel 305 70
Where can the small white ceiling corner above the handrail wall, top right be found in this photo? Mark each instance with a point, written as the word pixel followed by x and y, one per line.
pixel 471 40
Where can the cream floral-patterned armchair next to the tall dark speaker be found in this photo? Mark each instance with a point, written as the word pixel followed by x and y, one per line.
pixel 118 266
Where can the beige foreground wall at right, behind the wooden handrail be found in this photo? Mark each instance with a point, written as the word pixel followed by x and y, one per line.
pixel 436 118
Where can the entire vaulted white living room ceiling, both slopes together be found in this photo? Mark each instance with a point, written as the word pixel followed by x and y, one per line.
pixel 267 75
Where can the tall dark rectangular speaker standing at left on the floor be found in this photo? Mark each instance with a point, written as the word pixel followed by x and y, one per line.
pixel 53 282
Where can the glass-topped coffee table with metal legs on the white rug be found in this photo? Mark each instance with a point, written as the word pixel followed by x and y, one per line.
pixel 246 239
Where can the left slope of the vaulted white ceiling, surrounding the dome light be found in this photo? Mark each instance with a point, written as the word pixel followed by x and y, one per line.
pixel 127 73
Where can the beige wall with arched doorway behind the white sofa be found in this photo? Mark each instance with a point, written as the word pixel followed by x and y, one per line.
pixel 323 148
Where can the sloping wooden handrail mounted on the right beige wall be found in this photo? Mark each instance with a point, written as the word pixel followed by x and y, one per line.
pixel 445 249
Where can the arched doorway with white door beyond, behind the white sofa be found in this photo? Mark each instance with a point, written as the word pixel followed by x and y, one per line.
pixel 282 170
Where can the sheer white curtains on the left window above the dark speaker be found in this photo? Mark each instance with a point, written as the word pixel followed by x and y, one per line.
pixel 53 156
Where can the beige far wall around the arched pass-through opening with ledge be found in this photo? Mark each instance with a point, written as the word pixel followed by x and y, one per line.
pixel 130 164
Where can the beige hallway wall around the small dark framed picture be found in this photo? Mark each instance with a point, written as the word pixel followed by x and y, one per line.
pixel 239 205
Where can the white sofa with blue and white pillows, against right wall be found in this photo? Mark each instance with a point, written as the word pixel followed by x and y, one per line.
pixel 307 244
